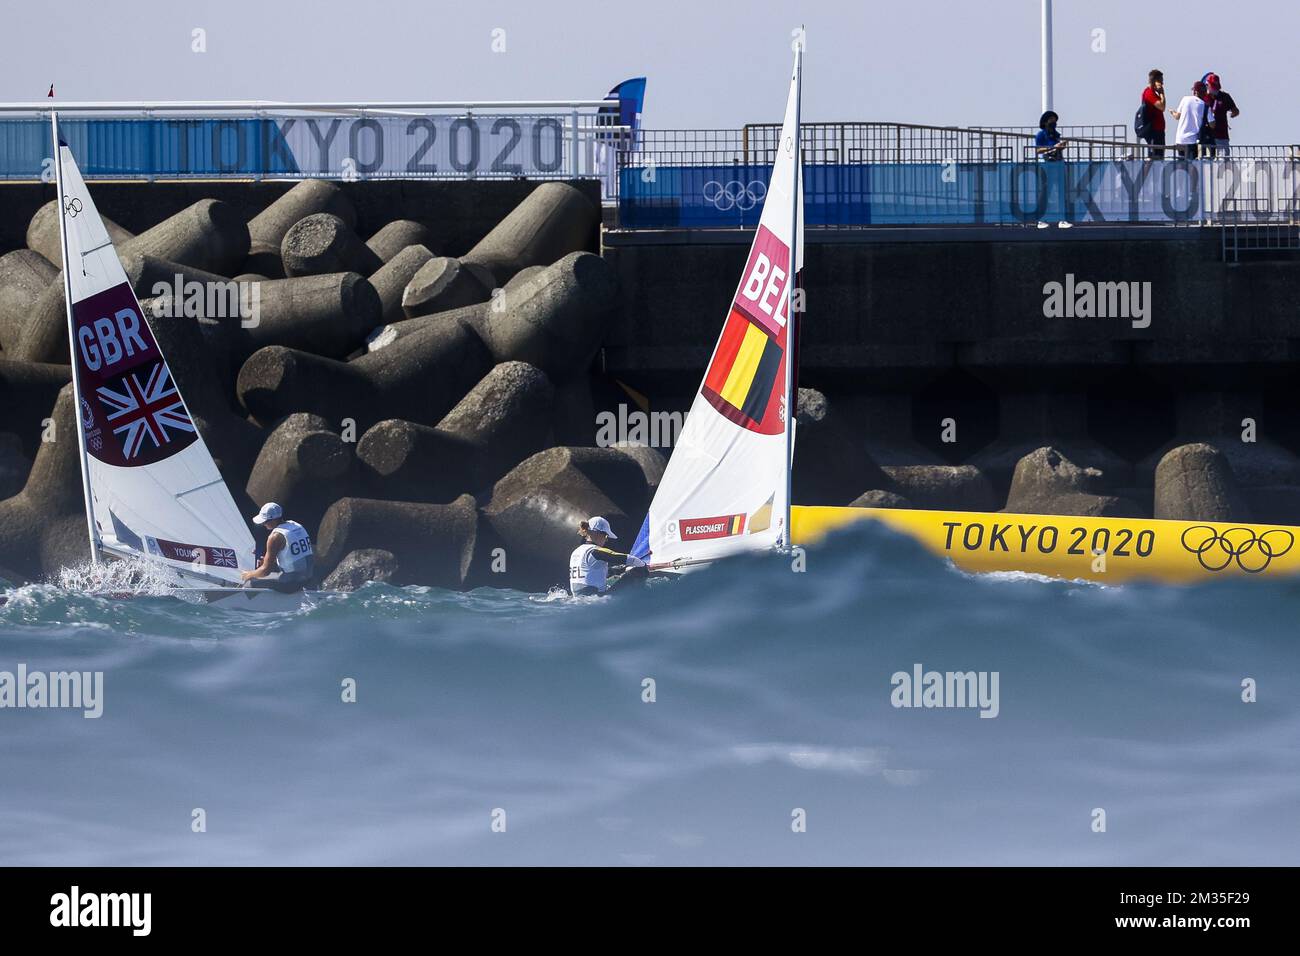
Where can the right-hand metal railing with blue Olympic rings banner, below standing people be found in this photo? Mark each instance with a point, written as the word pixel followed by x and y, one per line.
pixel 860 175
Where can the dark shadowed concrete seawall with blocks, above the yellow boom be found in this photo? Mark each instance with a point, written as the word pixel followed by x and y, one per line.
pixel 1098 373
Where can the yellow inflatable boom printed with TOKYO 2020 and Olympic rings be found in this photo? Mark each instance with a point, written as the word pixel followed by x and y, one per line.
pixel 1111 551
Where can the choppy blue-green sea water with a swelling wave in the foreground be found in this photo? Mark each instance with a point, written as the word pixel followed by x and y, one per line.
pixel 747 715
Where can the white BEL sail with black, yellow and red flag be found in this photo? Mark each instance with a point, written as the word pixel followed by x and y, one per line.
pixel 727 483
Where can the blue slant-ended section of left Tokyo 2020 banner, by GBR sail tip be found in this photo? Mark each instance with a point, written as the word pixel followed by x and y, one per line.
pixel 150 148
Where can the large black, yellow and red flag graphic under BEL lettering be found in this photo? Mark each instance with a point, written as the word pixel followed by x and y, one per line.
pixel 743 380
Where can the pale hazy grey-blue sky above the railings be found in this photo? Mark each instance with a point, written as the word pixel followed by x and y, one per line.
pixel 709 64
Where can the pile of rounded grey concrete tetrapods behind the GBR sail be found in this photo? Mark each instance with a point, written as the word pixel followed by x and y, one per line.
pixel 411 379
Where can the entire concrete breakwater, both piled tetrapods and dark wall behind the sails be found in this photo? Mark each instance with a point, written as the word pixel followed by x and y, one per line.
pixel 431 367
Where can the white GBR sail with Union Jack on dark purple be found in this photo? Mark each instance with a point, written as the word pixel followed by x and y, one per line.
pixel 151 486
